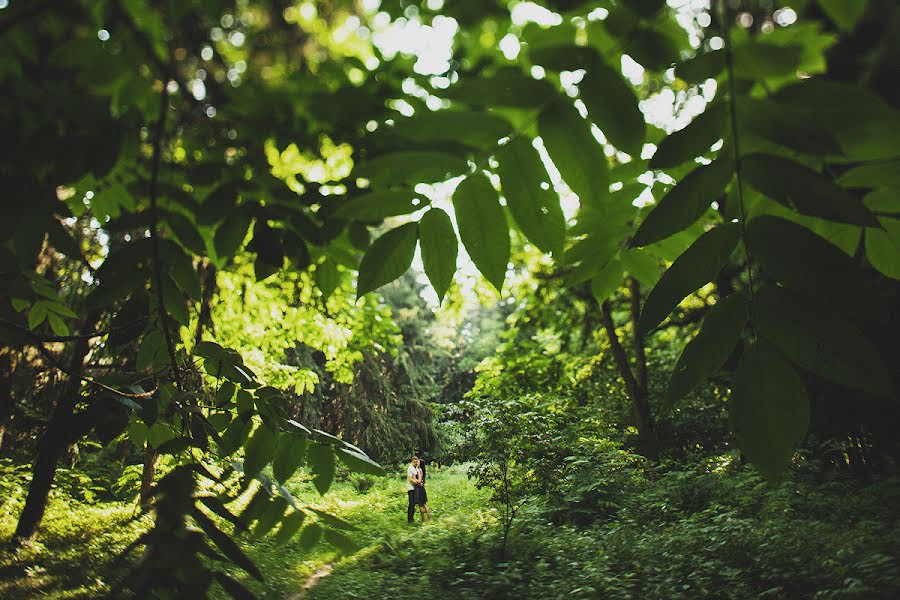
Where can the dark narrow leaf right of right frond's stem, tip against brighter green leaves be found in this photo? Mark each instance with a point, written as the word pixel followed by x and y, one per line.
pixel 803 190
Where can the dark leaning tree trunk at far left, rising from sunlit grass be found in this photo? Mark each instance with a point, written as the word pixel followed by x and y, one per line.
pixel 61 432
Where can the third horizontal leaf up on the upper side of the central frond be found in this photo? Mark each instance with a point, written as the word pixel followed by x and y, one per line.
pixel 476 129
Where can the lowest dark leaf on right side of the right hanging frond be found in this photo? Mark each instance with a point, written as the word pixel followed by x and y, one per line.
pixel 820 341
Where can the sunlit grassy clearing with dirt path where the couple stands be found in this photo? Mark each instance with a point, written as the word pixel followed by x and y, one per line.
pixel 379 513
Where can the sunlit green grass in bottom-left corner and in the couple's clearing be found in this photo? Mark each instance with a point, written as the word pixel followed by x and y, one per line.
pixel 73 558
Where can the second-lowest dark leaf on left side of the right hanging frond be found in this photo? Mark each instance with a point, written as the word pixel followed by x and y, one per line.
pixel 698 265
